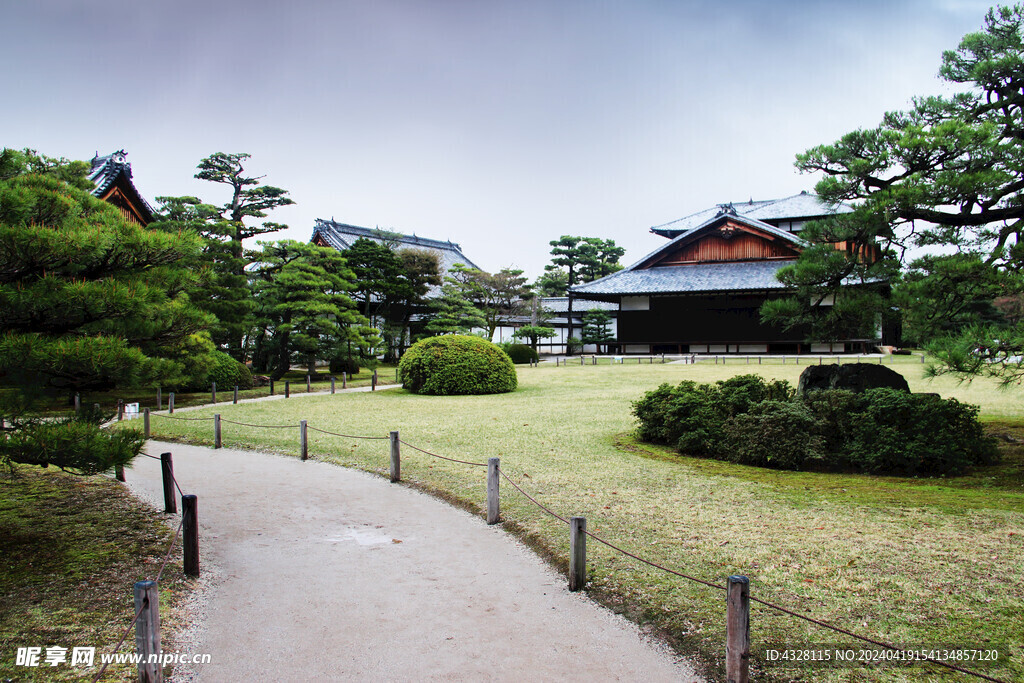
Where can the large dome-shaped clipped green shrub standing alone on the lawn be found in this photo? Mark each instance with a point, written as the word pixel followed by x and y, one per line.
pixel 457 365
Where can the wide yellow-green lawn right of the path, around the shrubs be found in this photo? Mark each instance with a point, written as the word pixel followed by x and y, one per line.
pixel 920 563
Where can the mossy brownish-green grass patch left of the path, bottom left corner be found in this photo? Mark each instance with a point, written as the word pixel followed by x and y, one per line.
pixel 71 549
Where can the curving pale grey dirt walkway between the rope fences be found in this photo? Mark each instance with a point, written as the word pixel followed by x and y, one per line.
pixel 322 573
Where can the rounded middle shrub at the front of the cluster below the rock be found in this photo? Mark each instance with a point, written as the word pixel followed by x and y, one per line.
pixel 775 434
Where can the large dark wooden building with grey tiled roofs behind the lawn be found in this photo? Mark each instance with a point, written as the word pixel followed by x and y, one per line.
pixel 702 292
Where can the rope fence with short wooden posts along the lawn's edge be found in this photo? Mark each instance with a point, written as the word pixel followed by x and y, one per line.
pixel 579 528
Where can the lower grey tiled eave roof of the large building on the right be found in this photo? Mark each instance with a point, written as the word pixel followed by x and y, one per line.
pixel 737 277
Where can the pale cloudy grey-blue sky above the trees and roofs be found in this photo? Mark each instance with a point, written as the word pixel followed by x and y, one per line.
pixel 500 125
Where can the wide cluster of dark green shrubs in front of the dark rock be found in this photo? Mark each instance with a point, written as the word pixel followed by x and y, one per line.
pixel 750 421
